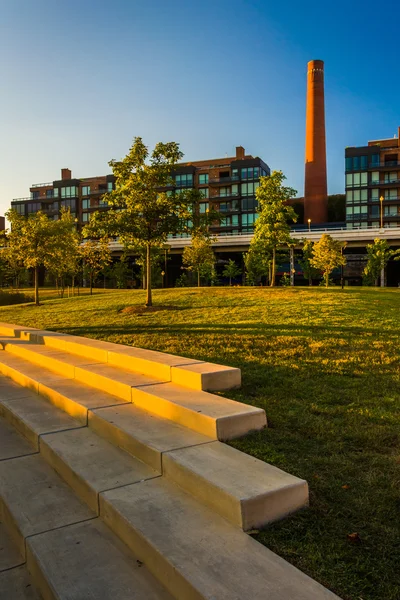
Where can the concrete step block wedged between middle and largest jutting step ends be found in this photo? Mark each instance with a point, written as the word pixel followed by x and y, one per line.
pixel 142 434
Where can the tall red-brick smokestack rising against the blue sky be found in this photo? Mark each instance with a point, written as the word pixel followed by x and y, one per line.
pixel 315 186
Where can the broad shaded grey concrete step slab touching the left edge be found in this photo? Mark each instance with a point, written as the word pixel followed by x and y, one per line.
pixel 34 499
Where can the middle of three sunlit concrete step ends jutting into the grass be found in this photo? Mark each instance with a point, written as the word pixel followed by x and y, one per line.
pixel 206 413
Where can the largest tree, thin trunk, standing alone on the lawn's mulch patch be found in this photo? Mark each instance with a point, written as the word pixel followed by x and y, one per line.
pixel 142 214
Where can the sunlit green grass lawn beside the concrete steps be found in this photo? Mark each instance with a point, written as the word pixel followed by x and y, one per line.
pixel 325 366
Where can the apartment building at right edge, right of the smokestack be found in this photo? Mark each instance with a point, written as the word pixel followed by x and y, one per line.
pixel 373 184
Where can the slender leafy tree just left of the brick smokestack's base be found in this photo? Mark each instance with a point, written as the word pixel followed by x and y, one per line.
pixel 272 229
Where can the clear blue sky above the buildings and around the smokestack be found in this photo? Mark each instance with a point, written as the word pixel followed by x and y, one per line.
pixel 81 78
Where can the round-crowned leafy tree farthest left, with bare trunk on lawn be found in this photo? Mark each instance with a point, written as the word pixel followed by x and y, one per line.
pixel 37 240
